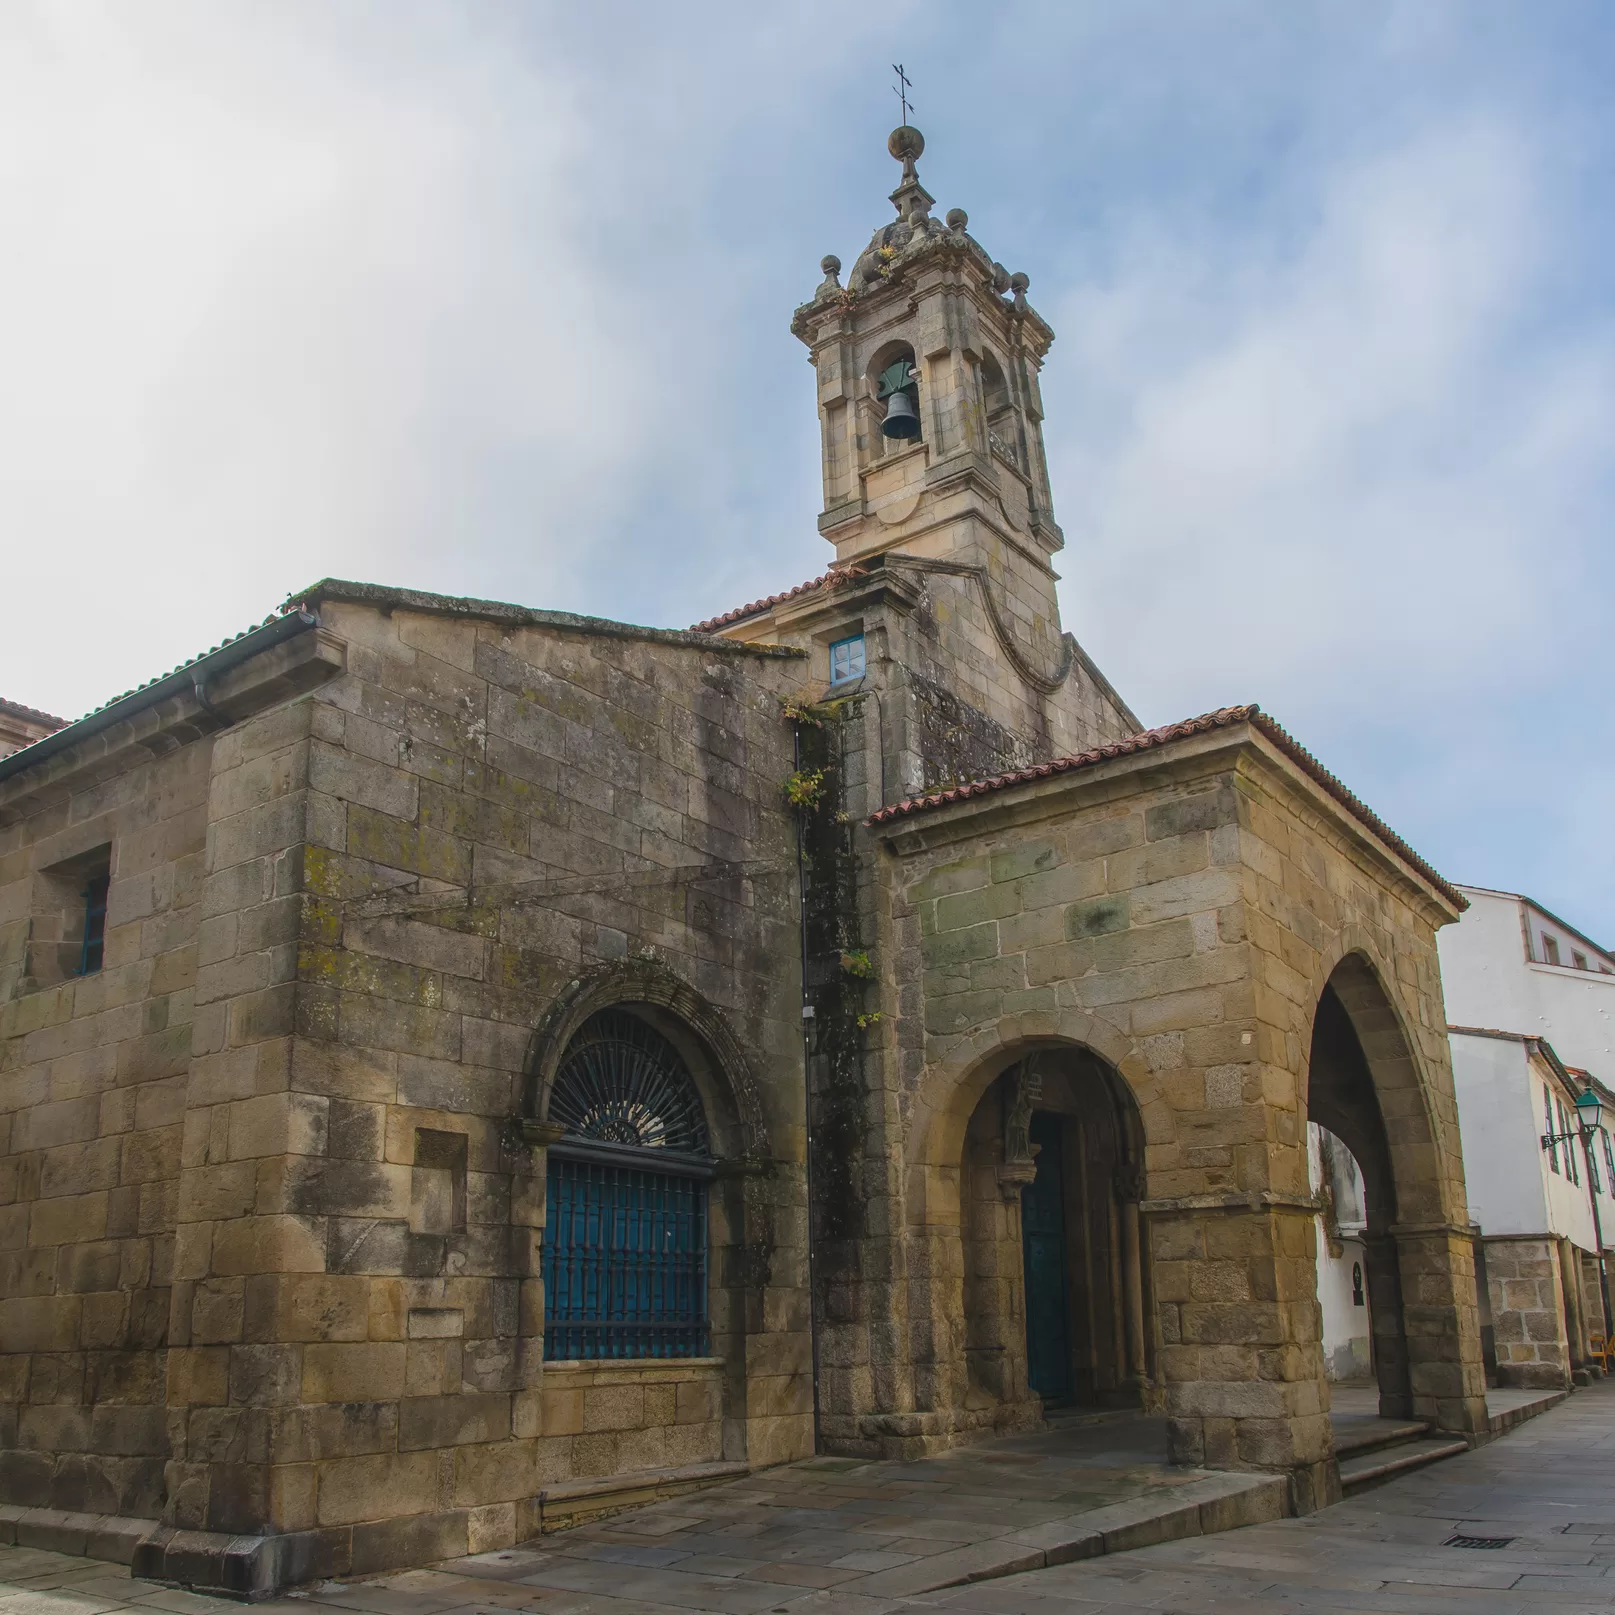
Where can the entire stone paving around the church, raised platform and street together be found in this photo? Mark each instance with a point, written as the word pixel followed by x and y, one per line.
pixel 836 1537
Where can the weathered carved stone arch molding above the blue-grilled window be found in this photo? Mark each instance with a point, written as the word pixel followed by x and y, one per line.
pixel 648 983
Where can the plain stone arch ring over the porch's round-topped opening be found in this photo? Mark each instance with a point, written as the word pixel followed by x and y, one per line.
pixel 950 1091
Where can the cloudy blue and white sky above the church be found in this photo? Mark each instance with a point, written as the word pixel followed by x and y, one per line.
pixel 493 300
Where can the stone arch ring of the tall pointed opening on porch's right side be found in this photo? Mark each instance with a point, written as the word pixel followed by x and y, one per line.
pixel 1365 981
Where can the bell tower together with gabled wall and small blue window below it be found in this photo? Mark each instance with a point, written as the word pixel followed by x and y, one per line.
pixel 936 497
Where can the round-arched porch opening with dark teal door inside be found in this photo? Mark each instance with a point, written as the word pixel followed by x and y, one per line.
pixel 1055 1283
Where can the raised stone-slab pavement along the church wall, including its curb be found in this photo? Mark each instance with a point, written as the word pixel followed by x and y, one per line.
pixel 871 1532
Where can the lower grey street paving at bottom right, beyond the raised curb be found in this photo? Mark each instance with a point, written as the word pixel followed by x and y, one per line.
pixel 1550 1488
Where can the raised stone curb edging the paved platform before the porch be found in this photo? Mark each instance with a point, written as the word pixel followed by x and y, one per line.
pixel 1201 1508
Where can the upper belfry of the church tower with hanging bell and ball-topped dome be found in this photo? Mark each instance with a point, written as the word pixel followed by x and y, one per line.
pixel 928 364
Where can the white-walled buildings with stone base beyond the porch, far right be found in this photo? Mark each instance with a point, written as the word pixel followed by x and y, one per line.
pixel 1532 1018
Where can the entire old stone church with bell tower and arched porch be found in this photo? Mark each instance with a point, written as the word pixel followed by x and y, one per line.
pixel 471 1067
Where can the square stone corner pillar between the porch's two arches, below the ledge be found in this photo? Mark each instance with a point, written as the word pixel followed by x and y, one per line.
pixel 1243 1356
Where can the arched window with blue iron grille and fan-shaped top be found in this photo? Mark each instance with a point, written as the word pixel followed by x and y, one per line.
pixel 626 1241
